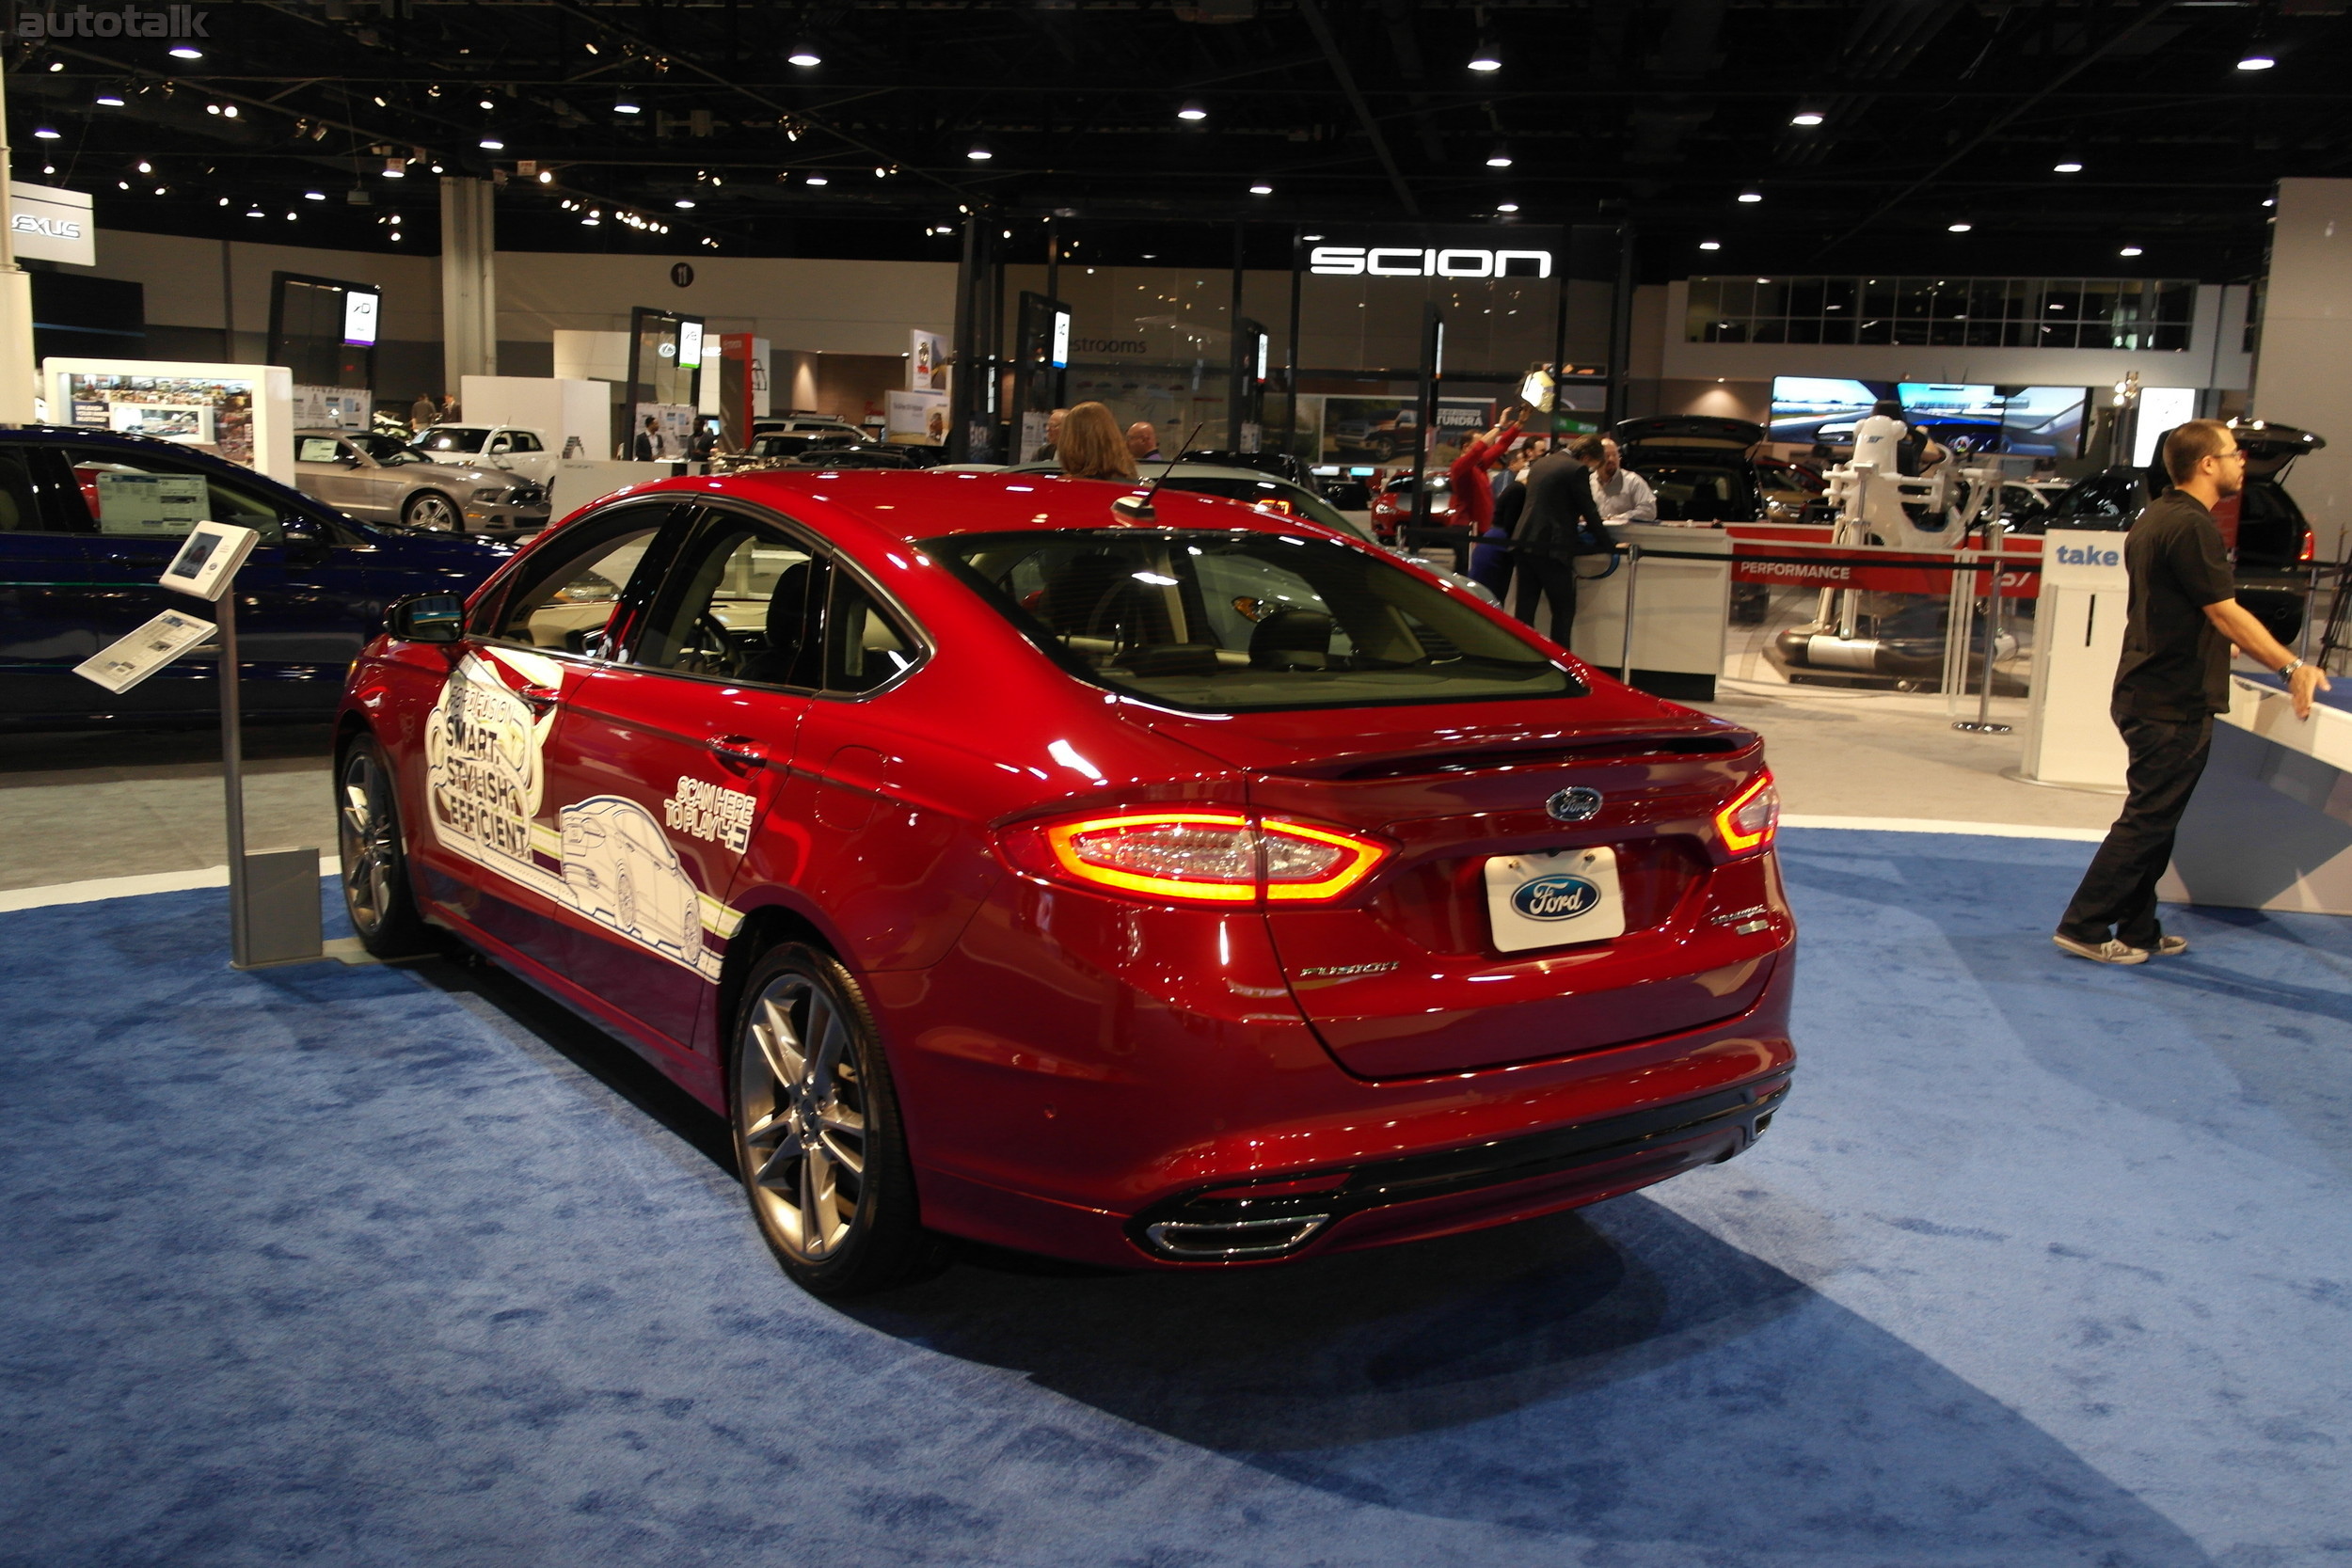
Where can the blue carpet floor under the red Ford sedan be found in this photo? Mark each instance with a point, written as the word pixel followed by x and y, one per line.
pixel 2045 1264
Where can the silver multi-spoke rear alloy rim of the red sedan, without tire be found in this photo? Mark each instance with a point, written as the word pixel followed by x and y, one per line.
pixel 803 1115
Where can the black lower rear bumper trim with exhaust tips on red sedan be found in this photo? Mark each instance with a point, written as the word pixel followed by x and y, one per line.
pixel 1426 1195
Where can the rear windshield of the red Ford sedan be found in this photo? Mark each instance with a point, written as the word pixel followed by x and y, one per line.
pixel 1224 622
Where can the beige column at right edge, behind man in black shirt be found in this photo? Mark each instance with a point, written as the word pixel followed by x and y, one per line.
pixel 2299 370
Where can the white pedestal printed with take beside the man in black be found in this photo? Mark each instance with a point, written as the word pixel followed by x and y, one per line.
pixel 2080 619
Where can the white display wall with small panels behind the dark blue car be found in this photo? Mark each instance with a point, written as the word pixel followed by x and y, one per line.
pixel 241 413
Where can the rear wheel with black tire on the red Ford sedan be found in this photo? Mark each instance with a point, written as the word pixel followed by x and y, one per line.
pixel 813 1104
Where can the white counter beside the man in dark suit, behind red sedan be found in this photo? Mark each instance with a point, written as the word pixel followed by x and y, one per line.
pixel 1681 610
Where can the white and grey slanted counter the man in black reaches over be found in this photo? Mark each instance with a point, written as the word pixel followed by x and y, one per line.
pixel 2271 824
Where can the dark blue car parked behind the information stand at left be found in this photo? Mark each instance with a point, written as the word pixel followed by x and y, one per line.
pixel 88 523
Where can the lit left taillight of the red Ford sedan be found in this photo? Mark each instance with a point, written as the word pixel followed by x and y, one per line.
pixel 1196 857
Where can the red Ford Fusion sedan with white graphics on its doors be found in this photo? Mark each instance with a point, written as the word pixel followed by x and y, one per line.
pixel 1170 890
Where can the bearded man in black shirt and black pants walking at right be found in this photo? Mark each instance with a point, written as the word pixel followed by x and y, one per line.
pixel 2172 681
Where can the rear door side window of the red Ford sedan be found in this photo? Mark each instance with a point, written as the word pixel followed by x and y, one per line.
pixel 740 603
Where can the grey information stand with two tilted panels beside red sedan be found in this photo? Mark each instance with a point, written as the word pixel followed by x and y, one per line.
pixel 274 894
